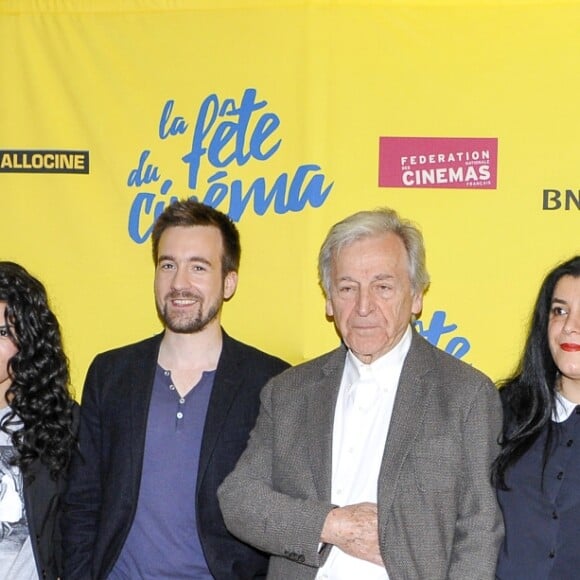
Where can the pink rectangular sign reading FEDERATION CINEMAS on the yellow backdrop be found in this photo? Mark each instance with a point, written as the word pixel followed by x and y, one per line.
pixel 438 162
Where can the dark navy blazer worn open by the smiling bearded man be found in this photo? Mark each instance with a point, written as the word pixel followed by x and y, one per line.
pixel 101 499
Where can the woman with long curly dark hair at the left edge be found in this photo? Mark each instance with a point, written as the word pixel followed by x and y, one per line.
pixel 38 421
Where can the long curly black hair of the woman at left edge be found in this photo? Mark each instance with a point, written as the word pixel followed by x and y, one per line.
pixel 38 395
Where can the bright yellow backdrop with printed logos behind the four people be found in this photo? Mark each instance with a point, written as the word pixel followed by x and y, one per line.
pixel 290 115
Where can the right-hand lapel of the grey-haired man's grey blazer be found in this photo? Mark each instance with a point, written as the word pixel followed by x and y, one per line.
pixel 408 413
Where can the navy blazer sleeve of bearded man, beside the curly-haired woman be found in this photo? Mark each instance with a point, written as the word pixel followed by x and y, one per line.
pixel 82 499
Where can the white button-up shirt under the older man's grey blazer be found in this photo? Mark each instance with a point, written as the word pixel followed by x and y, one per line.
pixel 361 421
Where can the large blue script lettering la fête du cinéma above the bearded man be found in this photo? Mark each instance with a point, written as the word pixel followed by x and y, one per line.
pixel 226 132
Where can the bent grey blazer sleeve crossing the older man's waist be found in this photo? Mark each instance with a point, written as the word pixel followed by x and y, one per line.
pixel 255 512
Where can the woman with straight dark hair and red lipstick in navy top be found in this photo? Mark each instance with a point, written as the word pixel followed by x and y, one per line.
pixel 537 473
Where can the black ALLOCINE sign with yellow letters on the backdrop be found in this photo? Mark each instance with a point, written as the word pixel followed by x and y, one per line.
pixel 43 161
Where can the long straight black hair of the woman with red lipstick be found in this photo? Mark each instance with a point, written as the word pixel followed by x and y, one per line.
pixel 529 396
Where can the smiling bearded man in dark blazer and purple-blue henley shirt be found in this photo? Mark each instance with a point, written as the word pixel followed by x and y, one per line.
pixel 164 421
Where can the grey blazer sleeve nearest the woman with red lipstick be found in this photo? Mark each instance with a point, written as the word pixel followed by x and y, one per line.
pixel 479 526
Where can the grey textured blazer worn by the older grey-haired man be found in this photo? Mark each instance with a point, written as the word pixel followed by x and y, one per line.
pixel 438 516
